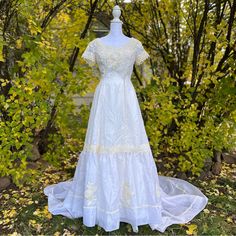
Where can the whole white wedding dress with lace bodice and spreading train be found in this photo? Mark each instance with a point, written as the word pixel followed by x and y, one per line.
pixel 116 177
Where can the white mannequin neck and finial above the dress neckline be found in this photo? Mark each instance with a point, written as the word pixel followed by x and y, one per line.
pixel 115 36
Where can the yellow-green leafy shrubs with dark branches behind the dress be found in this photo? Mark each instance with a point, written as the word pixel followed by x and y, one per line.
pixel 187 95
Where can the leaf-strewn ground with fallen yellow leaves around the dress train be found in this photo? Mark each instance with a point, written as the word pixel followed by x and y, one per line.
pixel 24 211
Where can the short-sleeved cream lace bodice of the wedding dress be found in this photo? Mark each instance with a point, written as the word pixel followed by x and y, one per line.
pixel 115 60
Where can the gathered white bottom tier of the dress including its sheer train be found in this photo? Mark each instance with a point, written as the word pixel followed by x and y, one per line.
pixel 111 188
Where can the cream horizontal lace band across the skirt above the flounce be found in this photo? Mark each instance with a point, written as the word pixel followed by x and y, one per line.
pixel 117 149
